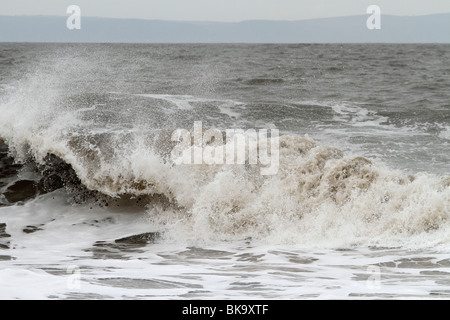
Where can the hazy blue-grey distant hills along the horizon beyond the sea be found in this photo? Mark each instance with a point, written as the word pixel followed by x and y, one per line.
pixel 394 29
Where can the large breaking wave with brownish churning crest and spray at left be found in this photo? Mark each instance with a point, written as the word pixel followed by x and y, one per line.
pixel 320 195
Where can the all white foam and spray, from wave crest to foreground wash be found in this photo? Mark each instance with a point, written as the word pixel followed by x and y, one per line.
pixel 318 228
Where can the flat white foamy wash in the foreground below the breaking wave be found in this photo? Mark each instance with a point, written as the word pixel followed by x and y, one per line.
pixel 73 255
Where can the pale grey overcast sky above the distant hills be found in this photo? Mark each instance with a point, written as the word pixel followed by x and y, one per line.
pixel 222 10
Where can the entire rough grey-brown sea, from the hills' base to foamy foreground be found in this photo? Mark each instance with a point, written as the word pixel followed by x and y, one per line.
pixel 93 206
